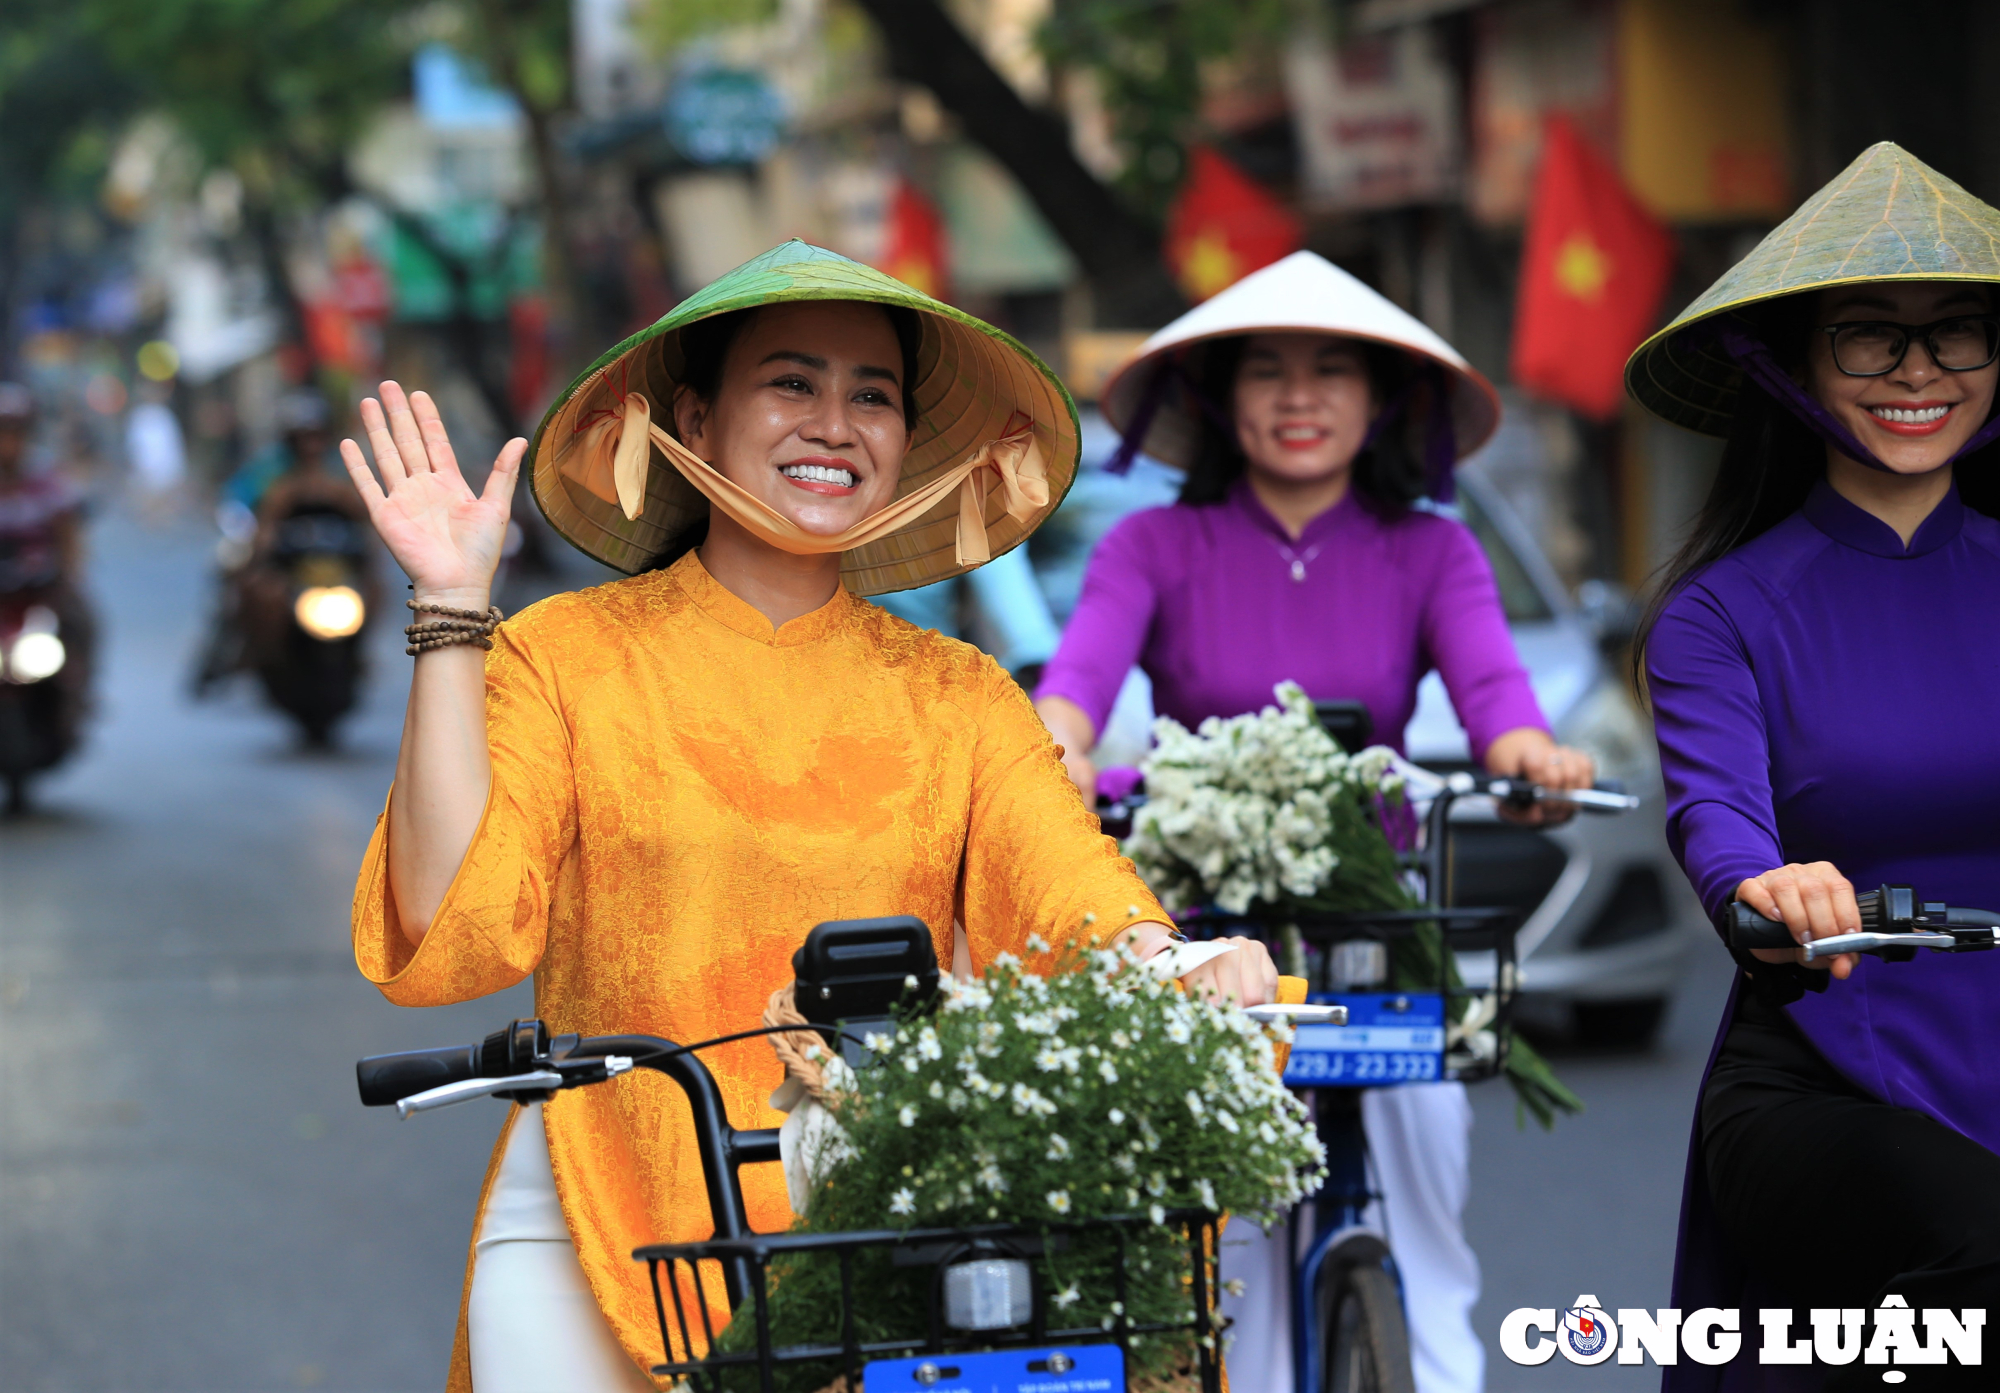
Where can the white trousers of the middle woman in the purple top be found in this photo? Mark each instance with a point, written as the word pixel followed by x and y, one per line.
pixel 1421 1146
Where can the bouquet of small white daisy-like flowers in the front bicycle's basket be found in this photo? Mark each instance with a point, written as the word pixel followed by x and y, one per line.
pixel 1097 1090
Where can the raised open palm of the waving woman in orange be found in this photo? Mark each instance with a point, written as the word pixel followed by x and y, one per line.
pixel 445 537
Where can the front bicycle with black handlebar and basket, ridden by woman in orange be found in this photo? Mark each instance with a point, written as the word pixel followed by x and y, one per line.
pixel 989 1318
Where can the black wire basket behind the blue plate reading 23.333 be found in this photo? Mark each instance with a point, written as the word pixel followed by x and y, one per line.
pixel 1471 1054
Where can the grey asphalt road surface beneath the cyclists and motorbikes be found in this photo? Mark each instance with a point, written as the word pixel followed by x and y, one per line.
pixel 191 1198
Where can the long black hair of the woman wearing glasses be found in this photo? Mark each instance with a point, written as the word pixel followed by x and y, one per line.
pixel 1771 463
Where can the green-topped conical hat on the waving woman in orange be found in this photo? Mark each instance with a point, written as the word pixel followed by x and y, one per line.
pixel 971 381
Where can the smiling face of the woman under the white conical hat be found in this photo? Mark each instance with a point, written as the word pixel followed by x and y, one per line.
pixel 1303 405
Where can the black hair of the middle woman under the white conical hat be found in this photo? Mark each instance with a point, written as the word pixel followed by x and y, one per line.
pixel 1389 473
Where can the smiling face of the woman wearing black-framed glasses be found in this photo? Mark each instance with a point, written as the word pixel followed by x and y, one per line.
pixel 1917 415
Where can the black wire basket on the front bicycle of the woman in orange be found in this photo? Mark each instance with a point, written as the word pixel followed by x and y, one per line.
pixel 747 1268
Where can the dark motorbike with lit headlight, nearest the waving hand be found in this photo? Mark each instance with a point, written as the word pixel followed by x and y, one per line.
pixel 303 607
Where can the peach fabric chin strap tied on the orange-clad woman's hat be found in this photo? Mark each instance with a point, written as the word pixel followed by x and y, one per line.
pixel 617 457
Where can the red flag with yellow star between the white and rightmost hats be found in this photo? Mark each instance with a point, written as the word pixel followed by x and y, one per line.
pixel 1591 279
